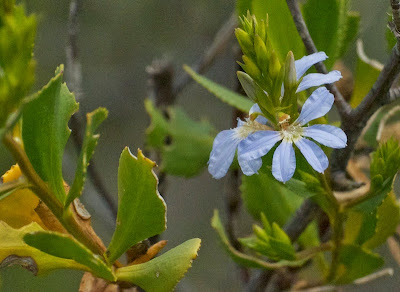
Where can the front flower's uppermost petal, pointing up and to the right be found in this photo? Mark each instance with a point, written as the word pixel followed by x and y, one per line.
pixel 316 106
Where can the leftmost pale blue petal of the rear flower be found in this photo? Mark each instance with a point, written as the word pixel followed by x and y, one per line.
pixel 221 156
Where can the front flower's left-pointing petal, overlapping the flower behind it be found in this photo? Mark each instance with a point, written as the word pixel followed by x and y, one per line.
pixel 258 144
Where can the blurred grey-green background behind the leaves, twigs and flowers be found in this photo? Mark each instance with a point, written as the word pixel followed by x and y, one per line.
pixel 117 40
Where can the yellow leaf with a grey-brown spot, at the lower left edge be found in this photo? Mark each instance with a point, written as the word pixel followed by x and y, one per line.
pixel 13 250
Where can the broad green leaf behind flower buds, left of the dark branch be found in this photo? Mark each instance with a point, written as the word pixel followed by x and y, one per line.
pixel 280 24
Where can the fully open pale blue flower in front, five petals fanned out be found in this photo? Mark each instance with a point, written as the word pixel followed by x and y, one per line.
pixel 259 143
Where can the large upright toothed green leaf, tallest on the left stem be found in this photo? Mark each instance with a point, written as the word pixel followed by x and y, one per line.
pixel 45 131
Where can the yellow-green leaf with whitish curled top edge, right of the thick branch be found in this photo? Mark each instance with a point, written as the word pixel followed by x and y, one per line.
pixel 367 71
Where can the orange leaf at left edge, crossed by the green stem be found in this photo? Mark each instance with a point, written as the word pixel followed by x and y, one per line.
pixel 18 209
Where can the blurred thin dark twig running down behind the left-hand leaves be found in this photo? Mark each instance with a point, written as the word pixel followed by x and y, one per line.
pixel 74 77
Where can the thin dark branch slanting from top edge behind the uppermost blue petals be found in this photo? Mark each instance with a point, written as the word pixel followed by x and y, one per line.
pixel 343 107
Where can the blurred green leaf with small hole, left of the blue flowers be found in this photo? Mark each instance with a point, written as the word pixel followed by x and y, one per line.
pixel 191 141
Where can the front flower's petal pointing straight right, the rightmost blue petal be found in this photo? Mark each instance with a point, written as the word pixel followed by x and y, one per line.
pixel 327 135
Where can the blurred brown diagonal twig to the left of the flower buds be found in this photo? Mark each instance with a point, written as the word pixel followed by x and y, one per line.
pixel 219 44
